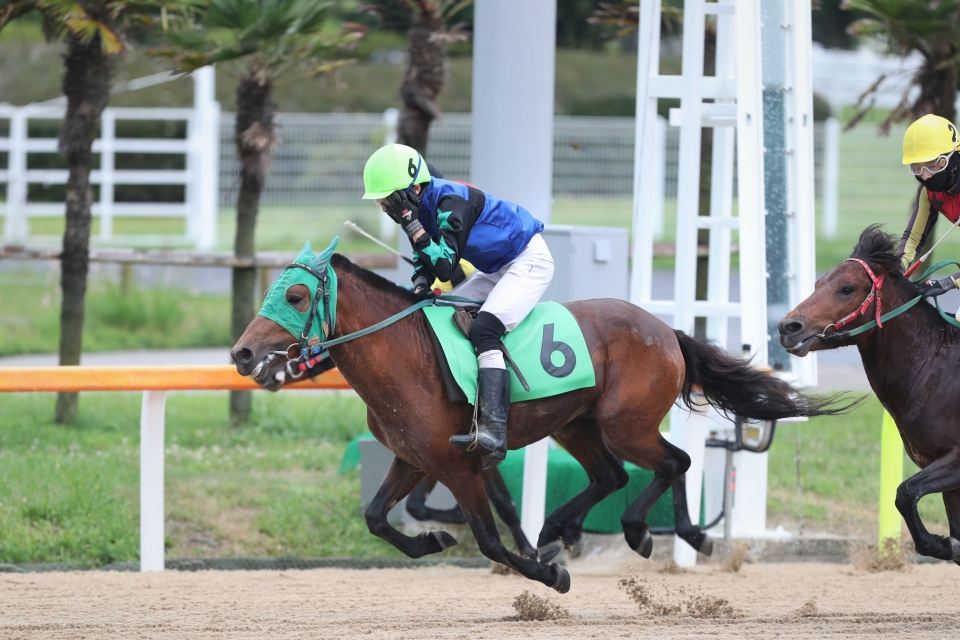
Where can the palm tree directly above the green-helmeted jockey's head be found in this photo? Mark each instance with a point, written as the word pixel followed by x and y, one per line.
pixel 430 35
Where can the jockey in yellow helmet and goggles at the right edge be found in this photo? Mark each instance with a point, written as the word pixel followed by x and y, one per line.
pixel 929 150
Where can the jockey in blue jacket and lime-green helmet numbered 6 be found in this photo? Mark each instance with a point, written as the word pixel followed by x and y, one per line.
pixel 446 221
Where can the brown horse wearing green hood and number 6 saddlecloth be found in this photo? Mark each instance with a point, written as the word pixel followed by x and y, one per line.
pixel 641 367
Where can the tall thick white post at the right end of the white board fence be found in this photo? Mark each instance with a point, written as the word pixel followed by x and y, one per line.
pixel 204 160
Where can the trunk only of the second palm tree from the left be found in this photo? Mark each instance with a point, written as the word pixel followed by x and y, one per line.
pixel 254 138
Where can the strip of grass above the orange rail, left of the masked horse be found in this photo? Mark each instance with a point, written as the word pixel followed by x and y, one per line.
pixel 154 319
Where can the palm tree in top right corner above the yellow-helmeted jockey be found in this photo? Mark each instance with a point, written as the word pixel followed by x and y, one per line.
pixel 928 27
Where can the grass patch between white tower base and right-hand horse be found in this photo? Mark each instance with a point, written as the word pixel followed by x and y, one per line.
pixel 840 476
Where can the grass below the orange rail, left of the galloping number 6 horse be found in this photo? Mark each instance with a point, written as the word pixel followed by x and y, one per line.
pixel 71 494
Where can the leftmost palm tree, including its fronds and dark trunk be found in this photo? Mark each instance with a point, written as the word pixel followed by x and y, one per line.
pixel 96 34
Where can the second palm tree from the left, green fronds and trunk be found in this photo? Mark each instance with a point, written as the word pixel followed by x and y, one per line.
pixel 266 42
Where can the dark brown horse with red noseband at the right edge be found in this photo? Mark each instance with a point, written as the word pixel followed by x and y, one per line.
pixel 911 364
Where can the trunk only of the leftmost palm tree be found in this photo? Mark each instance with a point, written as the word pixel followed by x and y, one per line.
pixel 86 84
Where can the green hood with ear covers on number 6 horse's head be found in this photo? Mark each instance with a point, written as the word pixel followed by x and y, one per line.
pixel 275 306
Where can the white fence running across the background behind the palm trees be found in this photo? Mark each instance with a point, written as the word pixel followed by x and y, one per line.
pixel 319 161
